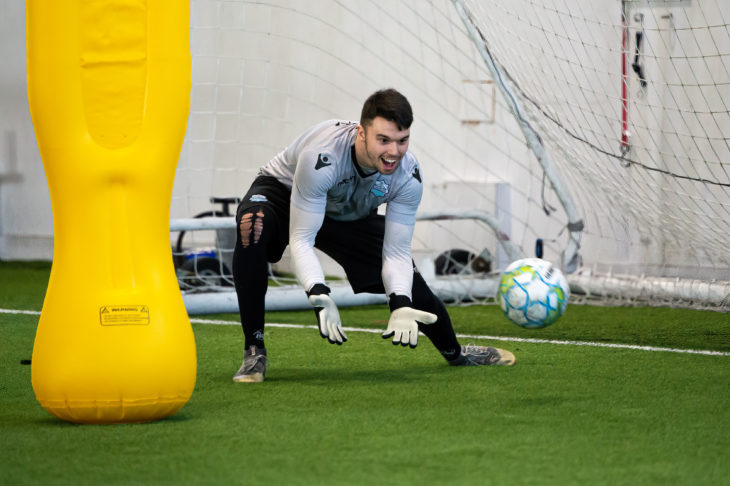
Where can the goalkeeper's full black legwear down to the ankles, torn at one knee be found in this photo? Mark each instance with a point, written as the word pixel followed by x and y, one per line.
pixel 262 219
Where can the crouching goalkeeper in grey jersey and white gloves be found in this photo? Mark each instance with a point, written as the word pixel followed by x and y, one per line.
pixel 323 191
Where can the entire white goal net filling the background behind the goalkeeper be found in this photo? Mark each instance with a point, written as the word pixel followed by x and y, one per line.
pixel 597 131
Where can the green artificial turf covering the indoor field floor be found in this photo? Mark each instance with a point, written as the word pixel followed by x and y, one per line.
pixel 370 413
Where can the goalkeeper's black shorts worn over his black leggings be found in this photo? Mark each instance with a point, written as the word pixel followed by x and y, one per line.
pixel 356 245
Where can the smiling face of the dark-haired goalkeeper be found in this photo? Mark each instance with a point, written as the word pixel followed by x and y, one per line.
pixel 384 144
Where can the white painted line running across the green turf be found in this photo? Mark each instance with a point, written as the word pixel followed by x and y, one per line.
pixel 465 336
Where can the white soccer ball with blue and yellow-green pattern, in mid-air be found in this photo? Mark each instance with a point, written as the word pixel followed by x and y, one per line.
pixel 533 293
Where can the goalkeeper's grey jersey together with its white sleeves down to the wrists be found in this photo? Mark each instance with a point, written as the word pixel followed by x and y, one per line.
pixel 325 180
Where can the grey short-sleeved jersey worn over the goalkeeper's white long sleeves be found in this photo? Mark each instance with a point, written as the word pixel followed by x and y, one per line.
pixel 324 178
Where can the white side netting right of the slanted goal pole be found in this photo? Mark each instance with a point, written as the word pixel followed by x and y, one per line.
pixel 631 98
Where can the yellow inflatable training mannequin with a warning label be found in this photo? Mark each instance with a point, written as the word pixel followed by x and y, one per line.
pixel 109 86
